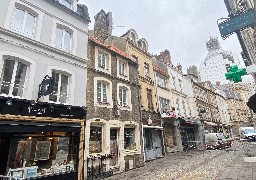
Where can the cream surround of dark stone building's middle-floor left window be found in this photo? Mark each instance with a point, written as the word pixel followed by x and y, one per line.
pixel 108 92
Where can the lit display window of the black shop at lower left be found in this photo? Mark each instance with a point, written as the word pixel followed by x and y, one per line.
pixel 39 154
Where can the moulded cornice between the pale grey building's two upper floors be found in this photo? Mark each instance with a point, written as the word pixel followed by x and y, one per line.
pixel 42 45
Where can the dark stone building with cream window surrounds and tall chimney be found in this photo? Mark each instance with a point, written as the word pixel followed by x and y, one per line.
pixel 113 128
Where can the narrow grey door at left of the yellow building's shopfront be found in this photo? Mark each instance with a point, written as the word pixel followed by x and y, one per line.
pixel 148 145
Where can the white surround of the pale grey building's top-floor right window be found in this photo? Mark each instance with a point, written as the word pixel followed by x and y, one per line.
pixel 73 31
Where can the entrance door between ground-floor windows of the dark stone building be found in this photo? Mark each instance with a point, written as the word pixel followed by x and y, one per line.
pixel 114 149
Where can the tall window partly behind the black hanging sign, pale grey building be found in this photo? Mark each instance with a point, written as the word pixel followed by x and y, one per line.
pixel 60 88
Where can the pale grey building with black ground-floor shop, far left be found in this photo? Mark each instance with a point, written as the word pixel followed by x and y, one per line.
pixel 42 81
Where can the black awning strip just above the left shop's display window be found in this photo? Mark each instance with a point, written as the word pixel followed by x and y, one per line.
pixel 21 126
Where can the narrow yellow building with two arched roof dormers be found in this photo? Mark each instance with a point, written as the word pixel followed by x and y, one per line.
pixel 137 48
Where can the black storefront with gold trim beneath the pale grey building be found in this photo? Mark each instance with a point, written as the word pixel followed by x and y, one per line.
pixel 41 140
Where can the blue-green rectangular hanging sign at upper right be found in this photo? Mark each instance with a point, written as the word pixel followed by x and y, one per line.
pixel 238 22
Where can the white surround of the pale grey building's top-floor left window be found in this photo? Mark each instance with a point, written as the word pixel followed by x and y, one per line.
pixel 20 5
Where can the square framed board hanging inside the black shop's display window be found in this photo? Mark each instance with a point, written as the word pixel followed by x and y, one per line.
pixel 43 149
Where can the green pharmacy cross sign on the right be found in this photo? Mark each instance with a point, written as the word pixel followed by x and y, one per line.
pixel 235 74
